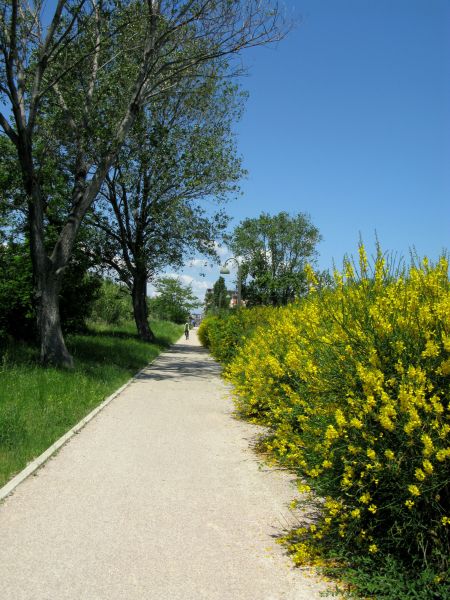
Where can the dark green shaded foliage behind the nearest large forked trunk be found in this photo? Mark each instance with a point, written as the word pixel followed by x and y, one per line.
pixel 17 303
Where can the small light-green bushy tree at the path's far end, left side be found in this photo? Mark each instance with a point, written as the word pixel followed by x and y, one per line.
pixel 174 301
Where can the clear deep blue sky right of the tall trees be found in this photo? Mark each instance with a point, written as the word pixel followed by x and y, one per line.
pixel 348 119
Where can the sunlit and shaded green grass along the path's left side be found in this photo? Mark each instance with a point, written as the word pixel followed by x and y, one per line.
pixel 38 405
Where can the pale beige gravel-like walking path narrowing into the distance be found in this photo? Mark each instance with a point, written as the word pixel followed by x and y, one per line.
pixel 157 498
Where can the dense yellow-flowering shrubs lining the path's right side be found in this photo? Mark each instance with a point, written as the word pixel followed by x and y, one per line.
pixel 354 383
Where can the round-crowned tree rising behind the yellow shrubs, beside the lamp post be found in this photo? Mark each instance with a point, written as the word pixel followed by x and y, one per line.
pixel 274 251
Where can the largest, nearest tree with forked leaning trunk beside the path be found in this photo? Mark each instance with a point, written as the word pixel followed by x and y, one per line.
pixel 69 65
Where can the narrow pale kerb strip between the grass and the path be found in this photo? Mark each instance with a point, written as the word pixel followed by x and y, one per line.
pixel 37 462
